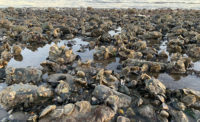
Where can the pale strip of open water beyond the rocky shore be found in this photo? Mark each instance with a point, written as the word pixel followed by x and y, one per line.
pixel 148 4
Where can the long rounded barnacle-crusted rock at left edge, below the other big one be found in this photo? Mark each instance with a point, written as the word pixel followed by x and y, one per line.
pixel 25 94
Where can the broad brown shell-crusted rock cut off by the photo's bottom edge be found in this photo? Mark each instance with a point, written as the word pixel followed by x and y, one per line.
pixel 95 114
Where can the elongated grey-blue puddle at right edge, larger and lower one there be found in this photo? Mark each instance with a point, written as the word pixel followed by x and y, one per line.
pixel 180 81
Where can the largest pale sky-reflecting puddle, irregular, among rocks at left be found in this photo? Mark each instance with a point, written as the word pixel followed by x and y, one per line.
pixel 34 58
